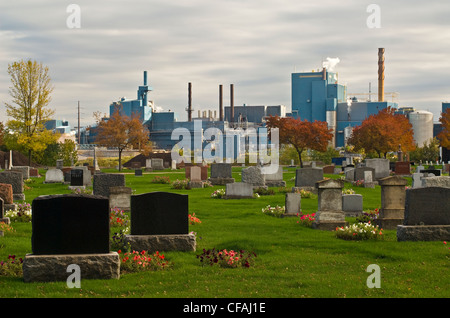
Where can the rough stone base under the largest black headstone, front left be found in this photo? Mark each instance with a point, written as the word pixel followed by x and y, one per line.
pixel 47 268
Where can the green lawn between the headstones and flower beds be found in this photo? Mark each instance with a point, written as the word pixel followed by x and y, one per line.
pixel 292 261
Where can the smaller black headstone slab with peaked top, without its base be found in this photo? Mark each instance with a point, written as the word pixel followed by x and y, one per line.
pixel 159 213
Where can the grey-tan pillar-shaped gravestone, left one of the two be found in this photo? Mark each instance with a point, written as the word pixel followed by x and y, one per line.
pixel 330 214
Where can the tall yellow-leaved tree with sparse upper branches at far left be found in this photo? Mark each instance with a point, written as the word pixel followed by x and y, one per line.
pixel 30 92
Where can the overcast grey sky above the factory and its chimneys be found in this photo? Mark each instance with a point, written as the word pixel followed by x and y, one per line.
pixel 253 44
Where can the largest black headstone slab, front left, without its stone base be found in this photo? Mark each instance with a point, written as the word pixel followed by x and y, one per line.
pixel 70 224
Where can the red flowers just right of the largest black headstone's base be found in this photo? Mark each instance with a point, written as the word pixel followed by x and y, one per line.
pixel 135 261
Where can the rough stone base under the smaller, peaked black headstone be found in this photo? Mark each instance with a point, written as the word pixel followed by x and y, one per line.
pixel 154 243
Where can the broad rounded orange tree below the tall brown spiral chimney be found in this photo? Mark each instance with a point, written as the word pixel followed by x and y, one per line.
pixel 382 133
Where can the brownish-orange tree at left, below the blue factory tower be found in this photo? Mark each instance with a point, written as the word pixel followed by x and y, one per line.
pixel 122 132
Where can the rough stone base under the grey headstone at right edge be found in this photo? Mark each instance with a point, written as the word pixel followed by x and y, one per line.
pixel 423 232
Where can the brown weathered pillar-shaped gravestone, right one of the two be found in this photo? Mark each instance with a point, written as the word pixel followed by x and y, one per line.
pixel 392 202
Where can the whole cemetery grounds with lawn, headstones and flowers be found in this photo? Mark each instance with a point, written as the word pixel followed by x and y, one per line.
pixel 228 232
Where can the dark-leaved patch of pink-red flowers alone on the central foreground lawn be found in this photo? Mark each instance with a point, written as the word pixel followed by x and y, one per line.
pixel 227 259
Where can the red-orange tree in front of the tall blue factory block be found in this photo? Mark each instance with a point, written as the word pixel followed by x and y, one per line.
pixel 302 135
